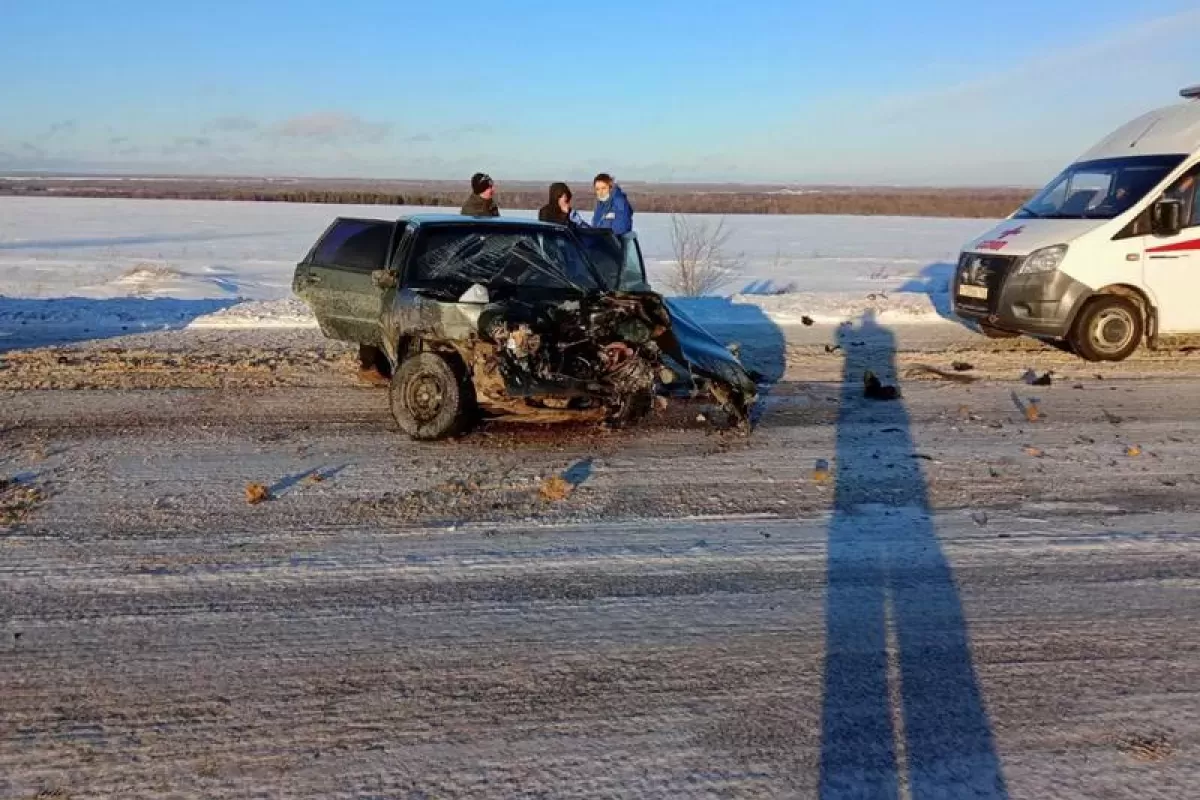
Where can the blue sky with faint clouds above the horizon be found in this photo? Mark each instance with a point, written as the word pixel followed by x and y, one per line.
pixel 777 91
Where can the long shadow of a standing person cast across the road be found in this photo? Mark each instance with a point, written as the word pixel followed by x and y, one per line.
pixel 903 705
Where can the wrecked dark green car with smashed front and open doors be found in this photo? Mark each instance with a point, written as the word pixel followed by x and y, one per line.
pixel 512 318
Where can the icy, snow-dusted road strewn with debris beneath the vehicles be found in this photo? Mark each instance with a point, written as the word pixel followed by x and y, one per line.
pixel 969 605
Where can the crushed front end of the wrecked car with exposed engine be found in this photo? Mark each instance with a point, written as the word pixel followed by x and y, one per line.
pixel 545 345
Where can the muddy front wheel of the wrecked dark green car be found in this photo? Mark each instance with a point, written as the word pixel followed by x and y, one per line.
pixel 433 398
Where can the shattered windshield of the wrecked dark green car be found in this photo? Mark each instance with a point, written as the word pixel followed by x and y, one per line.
pixel 449 260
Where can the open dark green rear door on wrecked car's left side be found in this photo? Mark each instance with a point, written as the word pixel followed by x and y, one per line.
pixel 340 284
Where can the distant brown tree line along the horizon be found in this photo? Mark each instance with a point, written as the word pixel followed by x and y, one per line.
pixel 985 203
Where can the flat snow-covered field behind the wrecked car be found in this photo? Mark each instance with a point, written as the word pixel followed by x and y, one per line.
pixel 109 264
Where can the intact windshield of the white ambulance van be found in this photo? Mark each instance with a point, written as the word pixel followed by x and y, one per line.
pixel 1100 190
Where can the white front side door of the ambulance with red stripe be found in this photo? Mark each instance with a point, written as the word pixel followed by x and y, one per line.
pixel 1172 264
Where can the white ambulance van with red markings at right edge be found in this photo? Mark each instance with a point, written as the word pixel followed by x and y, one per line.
pixel 1108 255
